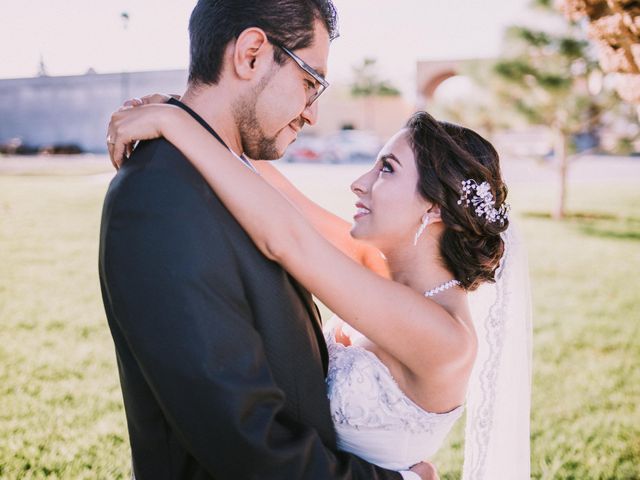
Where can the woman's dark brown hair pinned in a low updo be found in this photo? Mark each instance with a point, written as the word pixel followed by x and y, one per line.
pixel 446 155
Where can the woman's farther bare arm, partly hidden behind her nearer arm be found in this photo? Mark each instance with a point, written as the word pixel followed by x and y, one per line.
pixel 332 227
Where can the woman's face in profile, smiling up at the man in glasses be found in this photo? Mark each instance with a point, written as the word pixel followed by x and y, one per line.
pixel 389 207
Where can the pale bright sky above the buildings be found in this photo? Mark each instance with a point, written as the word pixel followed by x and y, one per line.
pixel 72 36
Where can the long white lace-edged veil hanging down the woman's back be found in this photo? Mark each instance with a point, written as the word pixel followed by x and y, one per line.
pixel 499 392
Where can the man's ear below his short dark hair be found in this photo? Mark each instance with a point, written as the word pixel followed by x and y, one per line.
pixel 252 53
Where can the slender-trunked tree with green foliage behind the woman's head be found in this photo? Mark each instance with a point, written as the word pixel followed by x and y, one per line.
pixel 544 77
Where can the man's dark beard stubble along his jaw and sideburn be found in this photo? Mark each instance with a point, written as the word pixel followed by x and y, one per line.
pixel 255 143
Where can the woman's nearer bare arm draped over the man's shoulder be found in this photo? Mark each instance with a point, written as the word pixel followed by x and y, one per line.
pixel 414 329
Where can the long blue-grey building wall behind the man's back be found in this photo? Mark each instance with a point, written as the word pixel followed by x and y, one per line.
pixel 75 110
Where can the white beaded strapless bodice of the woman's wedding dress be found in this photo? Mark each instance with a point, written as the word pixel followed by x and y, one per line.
pixel 373 417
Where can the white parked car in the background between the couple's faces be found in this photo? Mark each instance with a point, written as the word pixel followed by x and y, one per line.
pixel 351 146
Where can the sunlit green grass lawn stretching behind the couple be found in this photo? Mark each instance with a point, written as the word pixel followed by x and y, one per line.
pixel 61 411
